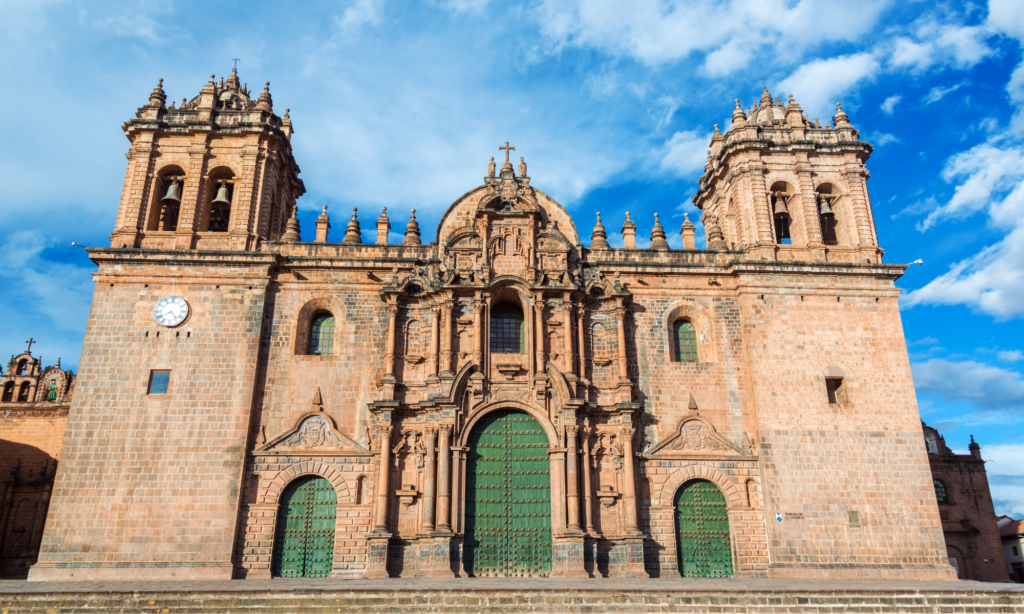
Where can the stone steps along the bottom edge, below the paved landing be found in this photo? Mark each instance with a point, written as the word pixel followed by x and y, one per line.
pixel 510 601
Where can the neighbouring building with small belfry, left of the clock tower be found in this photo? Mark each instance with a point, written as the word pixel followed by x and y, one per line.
pixel 33 417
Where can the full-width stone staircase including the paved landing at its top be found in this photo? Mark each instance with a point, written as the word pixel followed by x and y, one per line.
pixel 472 597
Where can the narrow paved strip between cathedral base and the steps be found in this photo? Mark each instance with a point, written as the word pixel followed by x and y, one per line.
pixel 490 585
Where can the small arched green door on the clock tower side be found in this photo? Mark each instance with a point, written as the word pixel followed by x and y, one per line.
pixel 304 542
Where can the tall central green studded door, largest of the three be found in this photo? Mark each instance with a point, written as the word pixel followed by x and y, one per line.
pixel 508 498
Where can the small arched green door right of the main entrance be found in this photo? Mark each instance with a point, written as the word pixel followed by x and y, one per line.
pixel 703 532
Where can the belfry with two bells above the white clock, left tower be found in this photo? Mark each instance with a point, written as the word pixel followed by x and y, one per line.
pixel 216 173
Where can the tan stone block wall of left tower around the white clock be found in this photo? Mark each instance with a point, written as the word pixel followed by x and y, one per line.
pixel 151 488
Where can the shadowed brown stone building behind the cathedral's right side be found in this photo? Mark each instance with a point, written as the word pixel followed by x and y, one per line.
pixel 969 522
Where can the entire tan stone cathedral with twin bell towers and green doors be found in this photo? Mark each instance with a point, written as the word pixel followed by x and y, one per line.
pixel 505 398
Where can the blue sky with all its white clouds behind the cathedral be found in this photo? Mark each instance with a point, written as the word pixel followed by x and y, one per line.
pixel 400 105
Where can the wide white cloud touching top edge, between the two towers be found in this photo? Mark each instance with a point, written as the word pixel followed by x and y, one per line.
pixel 731 33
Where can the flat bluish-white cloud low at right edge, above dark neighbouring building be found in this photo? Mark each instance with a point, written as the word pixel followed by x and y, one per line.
pixel 984 386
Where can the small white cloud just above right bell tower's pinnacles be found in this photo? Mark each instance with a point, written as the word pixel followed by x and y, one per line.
pixel 818 84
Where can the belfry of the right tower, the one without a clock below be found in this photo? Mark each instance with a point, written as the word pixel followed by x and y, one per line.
pixel 780 187
